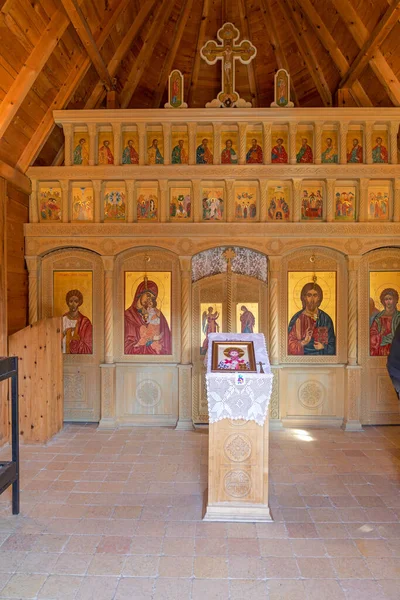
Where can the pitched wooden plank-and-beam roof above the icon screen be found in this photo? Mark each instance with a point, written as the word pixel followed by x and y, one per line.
pixel 61 54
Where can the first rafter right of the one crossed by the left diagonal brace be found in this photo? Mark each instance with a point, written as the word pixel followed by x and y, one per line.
pixel 149 44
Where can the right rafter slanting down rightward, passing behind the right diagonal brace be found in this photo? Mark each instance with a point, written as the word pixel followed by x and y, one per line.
pixel 378 63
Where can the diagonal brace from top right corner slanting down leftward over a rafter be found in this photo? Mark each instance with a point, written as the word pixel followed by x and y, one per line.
pixel 381 31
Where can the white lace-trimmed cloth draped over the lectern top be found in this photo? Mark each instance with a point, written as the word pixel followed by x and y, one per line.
pixel 248 401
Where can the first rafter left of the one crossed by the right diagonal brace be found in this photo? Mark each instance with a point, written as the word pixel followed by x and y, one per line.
pixel 304 46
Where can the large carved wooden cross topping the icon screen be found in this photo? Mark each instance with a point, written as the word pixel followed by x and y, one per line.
pixel 228 52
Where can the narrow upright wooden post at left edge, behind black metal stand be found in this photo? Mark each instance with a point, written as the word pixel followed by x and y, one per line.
pixel 4 406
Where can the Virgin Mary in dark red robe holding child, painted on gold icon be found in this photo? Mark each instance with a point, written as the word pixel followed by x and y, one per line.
pixel 146 328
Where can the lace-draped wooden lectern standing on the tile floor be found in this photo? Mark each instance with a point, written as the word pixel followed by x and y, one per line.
pixel 238 447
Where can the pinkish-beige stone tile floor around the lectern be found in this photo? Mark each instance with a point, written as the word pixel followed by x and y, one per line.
pixel 117 515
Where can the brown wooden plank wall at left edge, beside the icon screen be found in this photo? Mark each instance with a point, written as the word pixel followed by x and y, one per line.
pixel 13 279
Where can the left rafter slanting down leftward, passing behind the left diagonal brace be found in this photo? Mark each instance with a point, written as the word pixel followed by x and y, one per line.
pixel 98 93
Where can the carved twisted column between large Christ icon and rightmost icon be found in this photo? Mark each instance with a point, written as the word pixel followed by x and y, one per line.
pixel 351 420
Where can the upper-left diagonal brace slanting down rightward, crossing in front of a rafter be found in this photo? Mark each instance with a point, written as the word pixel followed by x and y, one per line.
pixel 85 35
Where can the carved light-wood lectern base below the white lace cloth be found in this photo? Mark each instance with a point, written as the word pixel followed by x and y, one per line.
pixel 237 472
